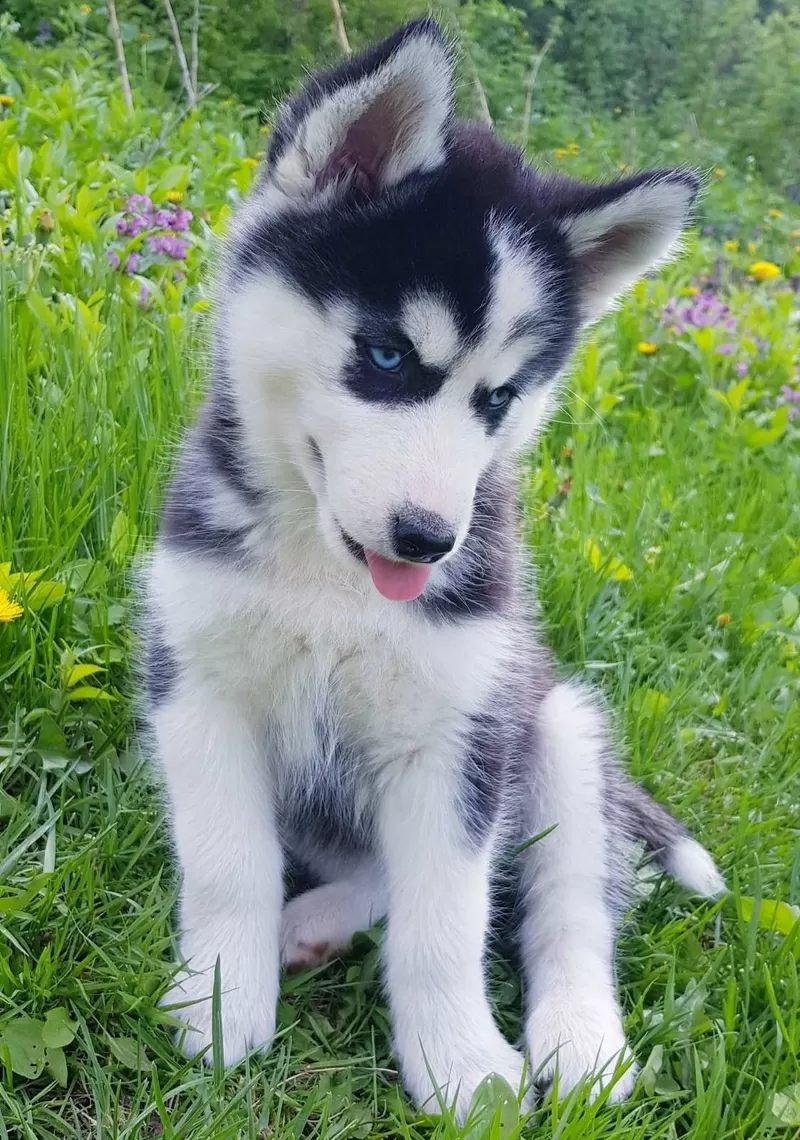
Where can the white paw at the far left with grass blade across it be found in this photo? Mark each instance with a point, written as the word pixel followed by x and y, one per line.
pixel 249 1000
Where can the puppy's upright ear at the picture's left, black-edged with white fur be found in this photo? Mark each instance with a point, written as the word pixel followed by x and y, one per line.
pixel 368 124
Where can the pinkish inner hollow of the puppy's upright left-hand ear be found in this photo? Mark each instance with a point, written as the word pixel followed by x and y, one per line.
pixel 362 156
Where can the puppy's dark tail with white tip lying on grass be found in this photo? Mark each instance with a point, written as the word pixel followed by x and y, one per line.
pixel 671 845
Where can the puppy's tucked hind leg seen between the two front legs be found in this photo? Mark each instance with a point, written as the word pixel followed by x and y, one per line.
pixel 321 923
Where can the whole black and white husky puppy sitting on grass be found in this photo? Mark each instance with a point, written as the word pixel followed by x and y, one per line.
pixel 398 752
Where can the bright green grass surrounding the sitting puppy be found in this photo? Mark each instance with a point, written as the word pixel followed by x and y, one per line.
pixel 664 500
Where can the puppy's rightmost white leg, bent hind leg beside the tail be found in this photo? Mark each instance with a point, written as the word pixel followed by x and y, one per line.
pixel 575 887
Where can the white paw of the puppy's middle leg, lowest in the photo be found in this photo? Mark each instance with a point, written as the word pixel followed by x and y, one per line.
pixel 448 1071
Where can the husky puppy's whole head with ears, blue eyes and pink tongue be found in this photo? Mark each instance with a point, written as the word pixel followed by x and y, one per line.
pixel 405 294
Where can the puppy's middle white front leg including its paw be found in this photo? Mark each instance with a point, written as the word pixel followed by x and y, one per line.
pixel 438 881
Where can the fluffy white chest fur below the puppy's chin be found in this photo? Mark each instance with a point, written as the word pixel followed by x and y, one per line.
pixel 341 686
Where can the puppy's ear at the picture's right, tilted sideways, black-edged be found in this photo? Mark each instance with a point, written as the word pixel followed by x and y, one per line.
pixel 617 233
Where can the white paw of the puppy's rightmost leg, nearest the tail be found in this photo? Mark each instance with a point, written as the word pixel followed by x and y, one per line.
pixel 581 1035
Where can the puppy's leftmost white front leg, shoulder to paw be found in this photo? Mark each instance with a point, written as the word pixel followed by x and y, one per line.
pixel 231 861
